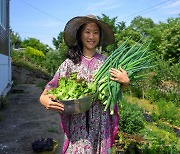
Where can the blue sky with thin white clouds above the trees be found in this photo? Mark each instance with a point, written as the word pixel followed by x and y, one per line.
pixel 45 19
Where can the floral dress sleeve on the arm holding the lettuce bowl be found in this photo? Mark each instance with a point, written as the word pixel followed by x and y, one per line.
pixel 63 71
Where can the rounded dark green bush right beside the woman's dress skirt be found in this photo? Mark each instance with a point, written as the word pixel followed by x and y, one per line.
pixel 131 118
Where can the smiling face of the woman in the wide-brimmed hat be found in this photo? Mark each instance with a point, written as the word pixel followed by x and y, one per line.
pixel 90 36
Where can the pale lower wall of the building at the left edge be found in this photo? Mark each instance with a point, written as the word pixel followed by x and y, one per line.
pixel 5 73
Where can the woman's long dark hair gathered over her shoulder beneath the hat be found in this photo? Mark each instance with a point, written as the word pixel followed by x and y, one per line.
pixel 74 53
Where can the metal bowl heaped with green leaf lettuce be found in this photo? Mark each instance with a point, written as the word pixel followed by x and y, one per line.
pixel 75 93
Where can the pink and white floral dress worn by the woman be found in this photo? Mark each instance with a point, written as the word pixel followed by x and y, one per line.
pixel 92 132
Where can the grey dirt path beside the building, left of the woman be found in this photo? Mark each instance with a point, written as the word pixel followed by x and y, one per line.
pixel 26 120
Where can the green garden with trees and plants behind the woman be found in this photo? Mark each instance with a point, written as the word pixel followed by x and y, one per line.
pixel 150 109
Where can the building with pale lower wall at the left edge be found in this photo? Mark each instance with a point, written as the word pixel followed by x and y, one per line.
pixel 5 58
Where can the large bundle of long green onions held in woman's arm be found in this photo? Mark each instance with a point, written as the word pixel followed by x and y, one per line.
pixel 132 59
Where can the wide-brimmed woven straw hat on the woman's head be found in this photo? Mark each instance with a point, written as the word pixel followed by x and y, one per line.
pixel 72 26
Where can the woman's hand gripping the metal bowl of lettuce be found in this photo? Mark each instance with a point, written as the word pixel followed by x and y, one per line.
pixel 49 102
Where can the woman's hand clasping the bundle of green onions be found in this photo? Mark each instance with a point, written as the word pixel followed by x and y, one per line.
pixel 119 76
